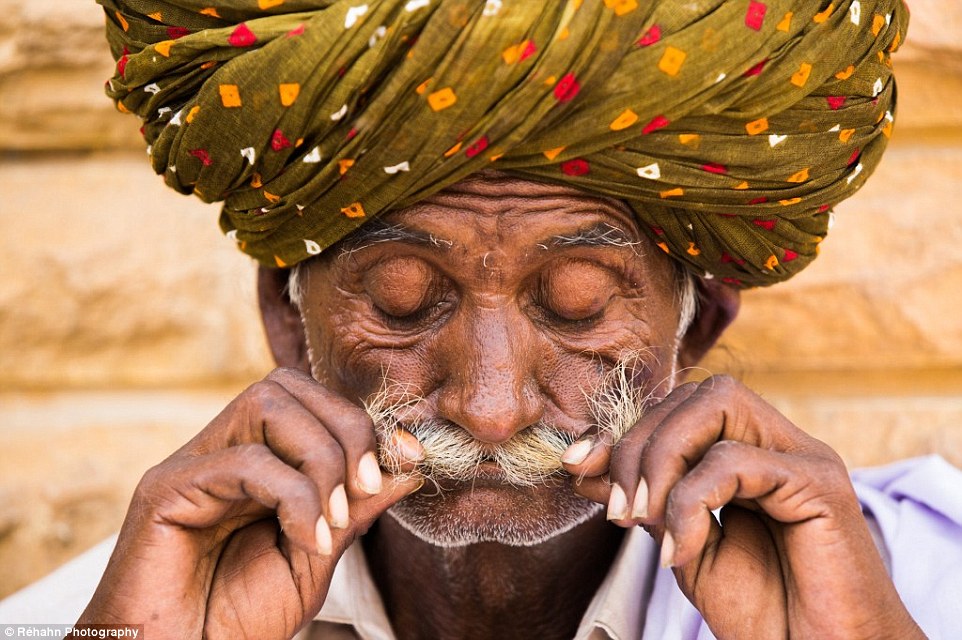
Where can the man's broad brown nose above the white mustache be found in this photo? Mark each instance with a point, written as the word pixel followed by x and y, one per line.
pixel 491 387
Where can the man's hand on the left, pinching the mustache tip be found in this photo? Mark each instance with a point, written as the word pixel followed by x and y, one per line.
pixel 237 533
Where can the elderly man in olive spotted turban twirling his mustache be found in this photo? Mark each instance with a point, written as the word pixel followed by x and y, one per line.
pixel 493 235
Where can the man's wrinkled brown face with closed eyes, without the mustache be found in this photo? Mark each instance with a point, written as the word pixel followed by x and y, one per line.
pixel 501 302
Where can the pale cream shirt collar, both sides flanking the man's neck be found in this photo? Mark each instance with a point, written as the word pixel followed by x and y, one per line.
pixel 617 609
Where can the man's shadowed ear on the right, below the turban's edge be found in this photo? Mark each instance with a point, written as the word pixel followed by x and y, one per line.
pixel 718 305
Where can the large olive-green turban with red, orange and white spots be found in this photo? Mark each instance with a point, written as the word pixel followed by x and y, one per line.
pixel 730 127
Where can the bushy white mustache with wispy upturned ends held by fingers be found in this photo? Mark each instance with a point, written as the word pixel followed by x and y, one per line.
pixel 530 457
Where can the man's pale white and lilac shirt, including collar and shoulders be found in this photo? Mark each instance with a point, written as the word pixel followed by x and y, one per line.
pixel 914 509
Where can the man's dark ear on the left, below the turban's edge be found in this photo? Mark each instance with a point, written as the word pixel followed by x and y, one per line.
pixel 282 320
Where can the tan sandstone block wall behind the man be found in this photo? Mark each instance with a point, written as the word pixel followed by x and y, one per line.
pixel 127 320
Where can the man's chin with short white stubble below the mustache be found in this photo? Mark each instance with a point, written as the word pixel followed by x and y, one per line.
pixel 464 514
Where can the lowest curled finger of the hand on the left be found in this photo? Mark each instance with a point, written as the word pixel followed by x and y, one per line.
pixel 205 491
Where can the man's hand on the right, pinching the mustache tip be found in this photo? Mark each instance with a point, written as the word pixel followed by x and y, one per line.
pixel 792 556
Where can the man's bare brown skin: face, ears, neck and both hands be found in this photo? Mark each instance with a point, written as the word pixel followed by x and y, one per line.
pixel 497 325
